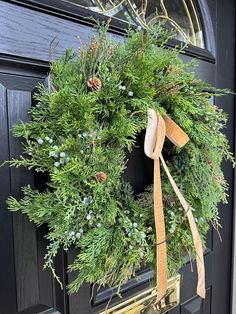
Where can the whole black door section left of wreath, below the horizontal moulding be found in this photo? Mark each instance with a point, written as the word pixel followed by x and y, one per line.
pixel 24 286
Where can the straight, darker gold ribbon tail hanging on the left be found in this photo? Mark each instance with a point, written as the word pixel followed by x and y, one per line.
pixel 161 251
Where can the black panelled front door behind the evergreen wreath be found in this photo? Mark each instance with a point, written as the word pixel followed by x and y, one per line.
pixel 28 31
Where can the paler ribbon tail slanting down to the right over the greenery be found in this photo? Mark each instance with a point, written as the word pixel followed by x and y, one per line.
pixel 201 291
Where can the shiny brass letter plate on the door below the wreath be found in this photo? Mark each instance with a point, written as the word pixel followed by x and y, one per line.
pixel 145 302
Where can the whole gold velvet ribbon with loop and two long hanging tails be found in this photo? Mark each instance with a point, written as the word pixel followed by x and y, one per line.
pixel 157 129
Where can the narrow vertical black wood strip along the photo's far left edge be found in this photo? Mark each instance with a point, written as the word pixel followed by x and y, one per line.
pixel 7 269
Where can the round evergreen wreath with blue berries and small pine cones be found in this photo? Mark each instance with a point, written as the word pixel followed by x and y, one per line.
pixel 79 134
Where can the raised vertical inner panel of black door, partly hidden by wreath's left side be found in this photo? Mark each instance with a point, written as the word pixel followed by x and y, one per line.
pixel 19 102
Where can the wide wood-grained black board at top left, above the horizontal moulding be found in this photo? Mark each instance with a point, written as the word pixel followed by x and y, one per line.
pixel 32 34
